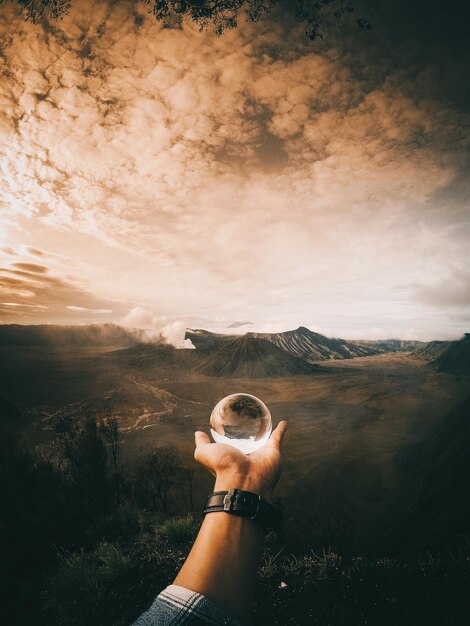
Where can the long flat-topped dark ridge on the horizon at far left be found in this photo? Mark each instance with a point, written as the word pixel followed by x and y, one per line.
pixel 67 336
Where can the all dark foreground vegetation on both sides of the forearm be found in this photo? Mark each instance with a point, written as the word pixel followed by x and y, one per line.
pixel 84 542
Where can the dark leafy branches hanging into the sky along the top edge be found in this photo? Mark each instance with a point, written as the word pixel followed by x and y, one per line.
pixel 222 15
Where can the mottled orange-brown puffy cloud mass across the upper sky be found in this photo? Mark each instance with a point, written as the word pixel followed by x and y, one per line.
pixel 190 109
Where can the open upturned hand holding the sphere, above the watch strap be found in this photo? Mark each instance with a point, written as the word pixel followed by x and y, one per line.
pixel 257 472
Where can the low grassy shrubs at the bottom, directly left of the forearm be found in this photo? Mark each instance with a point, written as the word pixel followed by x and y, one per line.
pixel 111 585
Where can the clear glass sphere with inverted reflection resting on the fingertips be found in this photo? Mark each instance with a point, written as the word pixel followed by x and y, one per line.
pixel 242 421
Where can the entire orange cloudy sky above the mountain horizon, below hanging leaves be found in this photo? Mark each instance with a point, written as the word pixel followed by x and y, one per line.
pixel 152 176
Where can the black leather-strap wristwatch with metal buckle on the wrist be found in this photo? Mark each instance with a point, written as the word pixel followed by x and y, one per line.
pixel 245 504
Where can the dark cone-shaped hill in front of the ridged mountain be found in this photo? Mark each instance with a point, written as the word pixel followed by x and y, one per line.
pixel 251 357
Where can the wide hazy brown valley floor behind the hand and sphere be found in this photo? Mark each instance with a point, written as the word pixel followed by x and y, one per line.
pixel 348 420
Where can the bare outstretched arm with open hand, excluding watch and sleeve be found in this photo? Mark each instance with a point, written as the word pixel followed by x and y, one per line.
pixel 224 559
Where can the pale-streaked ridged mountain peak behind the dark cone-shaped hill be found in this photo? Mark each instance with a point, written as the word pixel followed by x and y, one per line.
pixel 310 346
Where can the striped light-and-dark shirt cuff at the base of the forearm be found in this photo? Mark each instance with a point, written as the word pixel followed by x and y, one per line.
pixel 177 606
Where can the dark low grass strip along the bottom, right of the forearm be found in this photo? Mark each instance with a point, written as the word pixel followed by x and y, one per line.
pixel 325 590
